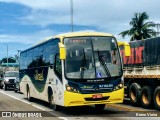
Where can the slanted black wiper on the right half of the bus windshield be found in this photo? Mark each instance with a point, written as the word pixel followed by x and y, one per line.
pixel 104 65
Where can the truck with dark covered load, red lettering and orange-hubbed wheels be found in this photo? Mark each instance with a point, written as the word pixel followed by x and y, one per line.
pixel 142 73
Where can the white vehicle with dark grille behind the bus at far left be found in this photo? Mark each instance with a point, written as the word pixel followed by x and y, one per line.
pixel 9 79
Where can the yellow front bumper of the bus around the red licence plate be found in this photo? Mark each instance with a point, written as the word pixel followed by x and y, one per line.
pixel 77 99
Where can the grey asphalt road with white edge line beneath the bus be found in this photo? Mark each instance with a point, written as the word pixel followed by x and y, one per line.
pixel 17 103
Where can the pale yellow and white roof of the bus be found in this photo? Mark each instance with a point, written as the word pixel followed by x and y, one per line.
pixel 71 34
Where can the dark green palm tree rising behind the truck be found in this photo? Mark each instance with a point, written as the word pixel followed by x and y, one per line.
pixel 140 29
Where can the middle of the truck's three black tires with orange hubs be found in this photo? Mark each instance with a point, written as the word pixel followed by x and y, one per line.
pixel 146 97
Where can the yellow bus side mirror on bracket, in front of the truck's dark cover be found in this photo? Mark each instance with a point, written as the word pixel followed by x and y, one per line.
pixel 127 48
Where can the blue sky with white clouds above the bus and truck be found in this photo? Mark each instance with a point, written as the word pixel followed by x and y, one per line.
pixel 25 22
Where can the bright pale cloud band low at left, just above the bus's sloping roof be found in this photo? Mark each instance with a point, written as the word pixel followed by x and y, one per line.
pixel 22 41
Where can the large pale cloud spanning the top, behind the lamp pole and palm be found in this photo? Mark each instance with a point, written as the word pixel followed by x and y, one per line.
pixel 107 16
